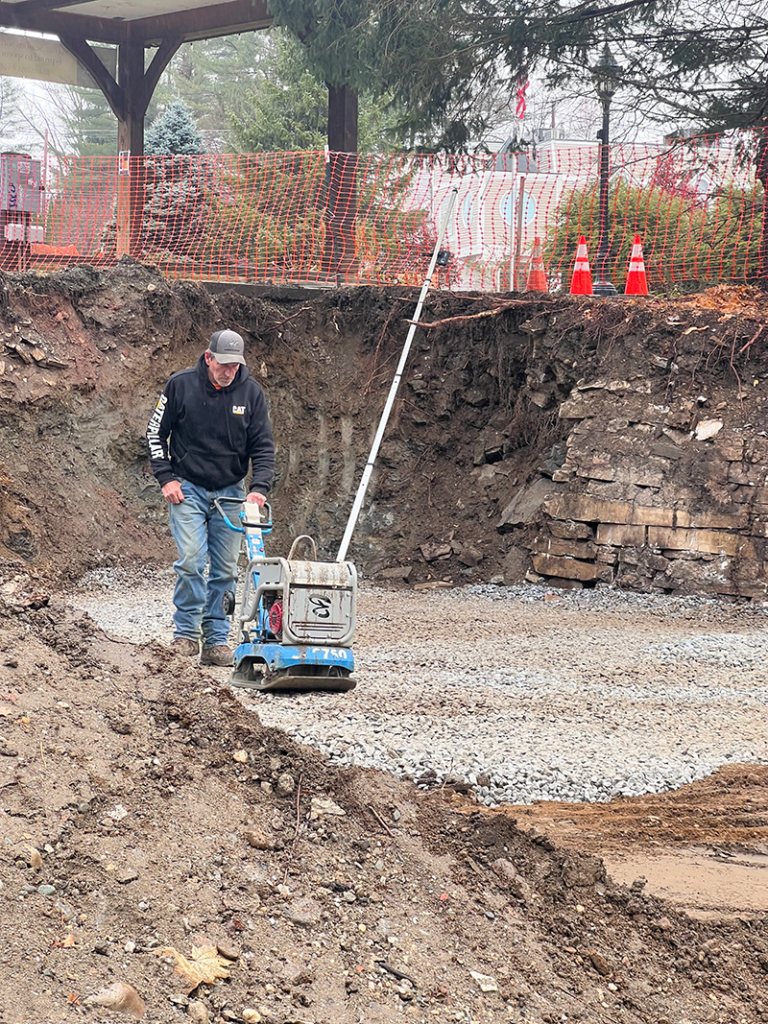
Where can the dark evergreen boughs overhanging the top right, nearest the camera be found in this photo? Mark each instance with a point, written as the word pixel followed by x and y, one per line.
pixel 697 66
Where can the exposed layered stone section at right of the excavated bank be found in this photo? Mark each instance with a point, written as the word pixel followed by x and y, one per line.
pixel 648 495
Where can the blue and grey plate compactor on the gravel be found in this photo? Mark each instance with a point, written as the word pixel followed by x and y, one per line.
pixel 296 618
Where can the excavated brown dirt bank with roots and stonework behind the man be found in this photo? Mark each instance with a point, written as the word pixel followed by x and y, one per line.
pixel 576 441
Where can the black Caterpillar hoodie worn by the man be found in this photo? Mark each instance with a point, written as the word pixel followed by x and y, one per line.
pixel 214 432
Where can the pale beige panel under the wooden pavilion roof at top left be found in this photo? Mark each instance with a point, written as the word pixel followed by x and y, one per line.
pixel 50 61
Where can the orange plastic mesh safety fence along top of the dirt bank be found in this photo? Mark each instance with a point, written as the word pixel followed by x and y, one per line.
pixel 318 218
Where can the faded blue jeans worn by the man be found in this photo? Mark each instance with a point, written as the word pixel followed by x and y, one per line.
pixel 202 536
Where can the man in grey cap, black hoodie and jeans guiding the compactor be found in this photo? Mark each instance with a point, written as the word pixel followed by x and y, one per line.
pixel 217 419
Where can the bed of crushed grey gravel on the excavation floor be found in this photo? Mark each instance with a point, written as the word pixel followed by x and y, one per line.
pixel 523 693
